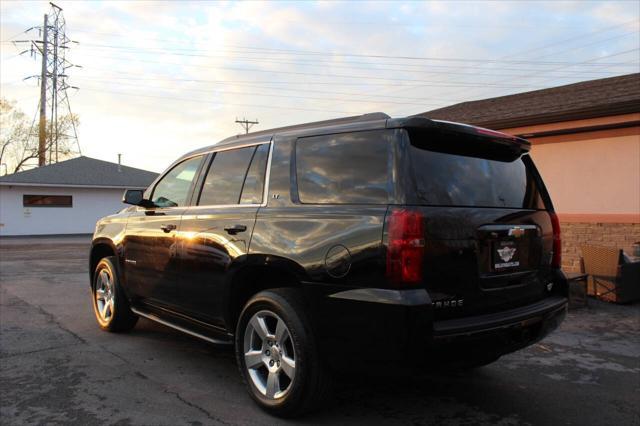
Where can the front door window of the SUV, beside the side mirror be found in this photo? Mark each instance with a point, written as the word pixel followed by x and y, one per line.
pixel 173 188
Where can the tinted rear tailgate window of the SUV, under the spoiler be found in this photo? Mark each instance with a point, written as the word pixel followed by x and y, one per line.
pixel 446 179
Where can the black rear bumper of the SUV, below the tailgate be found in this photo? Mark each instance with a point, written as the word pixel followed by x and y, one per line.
pixel 398 326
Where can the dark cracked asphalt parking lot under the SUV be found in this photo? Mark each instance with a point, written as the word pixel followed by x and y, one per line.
pixel 57 367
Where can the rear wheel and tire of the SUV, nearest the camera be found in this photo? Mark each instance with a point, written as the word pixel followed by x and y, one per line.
pixel 274 330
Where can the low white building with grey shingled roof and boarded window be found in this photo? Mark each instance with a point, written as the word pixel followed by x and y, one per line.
pixel 66 197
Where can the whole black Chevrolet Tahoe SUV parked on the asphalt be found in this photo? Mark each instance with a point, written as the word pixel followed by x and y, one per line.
pixel 319 247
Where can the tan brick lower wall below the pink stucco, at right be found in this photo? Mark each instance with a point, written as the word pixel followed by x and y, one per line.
pixel 574 235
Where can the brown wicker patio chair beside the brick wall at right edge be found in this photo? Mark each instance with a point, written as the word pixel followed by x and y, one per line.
pixel 610 278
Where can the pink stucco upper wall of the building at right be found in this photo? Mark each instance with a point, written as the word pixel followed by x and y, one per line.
pixel 593 170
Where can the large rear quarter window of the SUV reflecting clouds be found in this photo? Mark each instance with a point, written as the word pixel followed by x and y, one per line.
pixel 348 168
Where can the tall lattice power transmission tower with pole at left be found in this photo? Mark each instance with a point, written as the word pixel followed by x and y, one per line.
pixel 54 100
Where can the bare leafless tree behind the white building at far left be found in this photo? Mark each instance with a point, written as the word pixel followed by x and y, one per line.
pixel 19 141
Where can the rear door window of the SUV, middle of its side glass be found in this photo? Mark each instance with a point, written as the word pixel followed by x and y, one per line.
pixel 225 177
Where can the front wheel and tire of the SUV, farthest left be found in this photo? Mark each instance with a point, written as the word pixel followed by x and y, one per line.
pixel 110 305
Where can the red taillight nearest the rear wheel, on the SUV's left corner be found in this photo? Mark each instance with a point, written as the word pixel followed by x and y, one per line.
pixel 405 250
